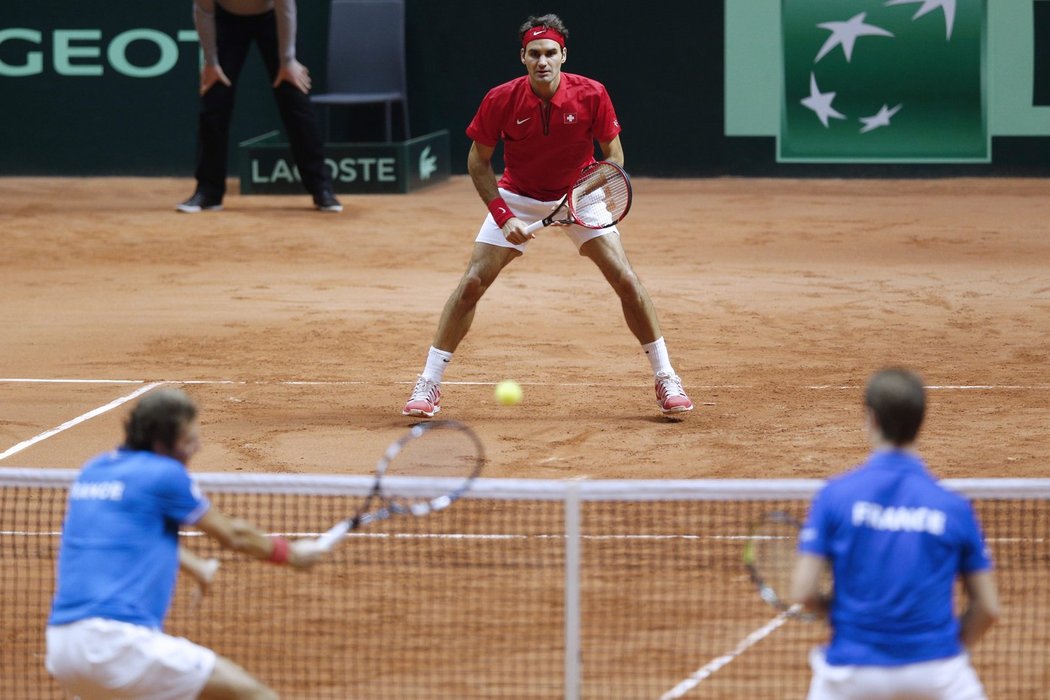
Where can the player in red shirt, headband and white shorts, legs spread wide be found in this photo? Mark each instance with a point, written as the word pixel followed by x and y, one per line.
pixel 549 122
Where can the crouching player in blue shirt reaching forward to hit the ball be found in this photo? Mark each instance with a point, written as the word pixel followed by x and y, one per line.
pixel 119 559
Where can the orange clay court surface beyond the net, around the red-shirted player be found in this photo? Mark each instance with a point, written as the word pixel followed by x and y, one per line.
pixel 301 334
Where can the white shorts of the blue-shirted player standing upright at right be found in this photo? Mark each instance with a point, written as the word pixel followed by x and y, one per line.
pixel 942 680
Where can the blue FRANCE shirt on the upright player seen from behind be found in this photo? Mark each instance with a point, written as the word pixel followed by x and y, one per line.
pixel 896 541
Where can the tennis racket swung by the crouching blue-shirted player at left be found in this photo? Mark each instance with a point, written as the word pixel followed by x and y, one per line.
pixel 448 453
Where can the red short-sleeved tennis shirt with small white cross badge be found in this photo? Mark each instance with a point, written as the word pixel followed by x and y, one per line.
pixel 544 149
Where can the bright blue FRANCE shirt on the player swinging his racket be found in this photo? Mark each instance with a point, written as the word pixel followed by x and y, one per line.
pixel 119 557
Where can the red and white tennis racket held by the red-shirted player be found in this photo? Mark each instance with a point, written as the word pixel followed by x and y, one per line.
pixel 600 198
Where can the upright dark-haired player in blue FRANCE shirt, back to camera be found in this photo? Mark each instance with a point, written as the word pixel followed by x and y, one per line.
pixel 896 542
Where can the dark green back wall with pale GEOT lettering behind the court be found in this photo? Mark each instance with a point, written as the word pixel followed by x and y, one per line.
pixel 111 89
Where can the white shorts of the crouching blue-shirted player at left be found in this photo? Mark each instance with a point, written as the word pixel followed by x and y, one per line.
pixel 100 660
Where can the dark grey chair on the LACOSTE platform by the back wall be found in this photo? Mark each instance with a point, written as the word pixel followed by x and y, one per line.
pixel 366 59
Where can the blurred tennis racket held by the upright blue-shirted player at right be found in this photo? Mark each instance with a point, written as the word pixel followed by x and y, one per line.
pixel 769 555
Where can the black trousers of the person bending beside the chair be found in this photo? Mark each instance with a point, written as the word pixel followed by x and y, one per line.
pixel 235 35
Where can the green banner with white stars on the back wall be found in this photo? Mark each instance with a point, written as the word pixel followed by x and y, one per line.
pixel 884 81
